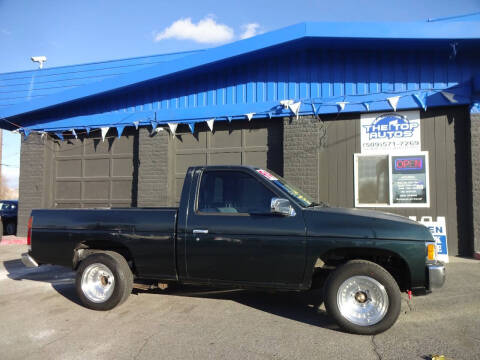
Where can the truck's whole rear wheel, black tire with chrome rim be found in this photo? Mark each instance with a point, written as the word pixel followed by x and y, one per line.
pixel 104 280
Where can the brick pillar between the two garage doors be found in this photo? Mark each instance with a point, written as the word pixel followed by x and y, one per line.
pixel 152 169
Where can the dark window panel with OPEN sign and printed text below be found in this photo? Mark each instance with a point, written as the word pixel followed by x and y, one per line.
pixel 409 179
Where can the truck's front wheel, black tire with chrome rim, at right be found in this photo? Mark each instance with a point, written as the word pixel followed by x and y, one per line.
pixel 362 297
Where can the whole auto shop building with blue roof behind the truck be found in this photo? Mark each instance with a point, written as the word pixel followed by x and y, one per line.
pixel 368 116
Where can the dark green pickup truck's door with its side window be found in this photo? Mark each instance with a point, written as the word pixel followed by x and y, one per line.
pixel 232 236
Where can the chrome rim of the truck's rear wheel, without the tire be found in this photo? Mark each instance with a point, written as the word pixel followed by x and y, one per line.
pixel 97 283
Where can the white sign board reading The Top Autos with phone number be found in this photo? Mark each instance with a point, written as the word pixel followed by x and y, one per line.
pixel 384 133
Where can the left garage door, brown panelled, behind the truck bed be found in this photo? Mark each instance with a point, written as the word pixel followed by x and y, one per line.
pixel 93 173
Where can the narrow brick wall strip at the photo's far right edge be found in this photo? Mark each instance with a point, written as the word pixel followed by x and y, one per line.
pixel 475 154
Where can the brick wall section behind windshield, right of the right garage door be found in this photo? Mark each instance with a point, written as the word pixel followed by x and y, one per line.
pixel 301 141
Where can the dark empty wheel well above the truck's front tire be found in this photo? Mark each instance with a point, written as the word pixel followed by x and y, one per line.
pixel 393 263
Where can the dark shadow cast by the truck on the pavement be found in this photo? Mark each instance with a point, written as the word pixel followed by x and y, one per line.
pixel 299 306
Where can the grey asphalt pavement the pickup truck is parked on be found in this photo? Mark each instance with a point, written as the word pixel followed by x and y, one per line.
pixel 41 318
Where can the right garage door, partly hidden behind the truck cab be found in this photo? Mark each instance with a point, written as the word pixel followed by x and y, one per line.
pixel 258 143
